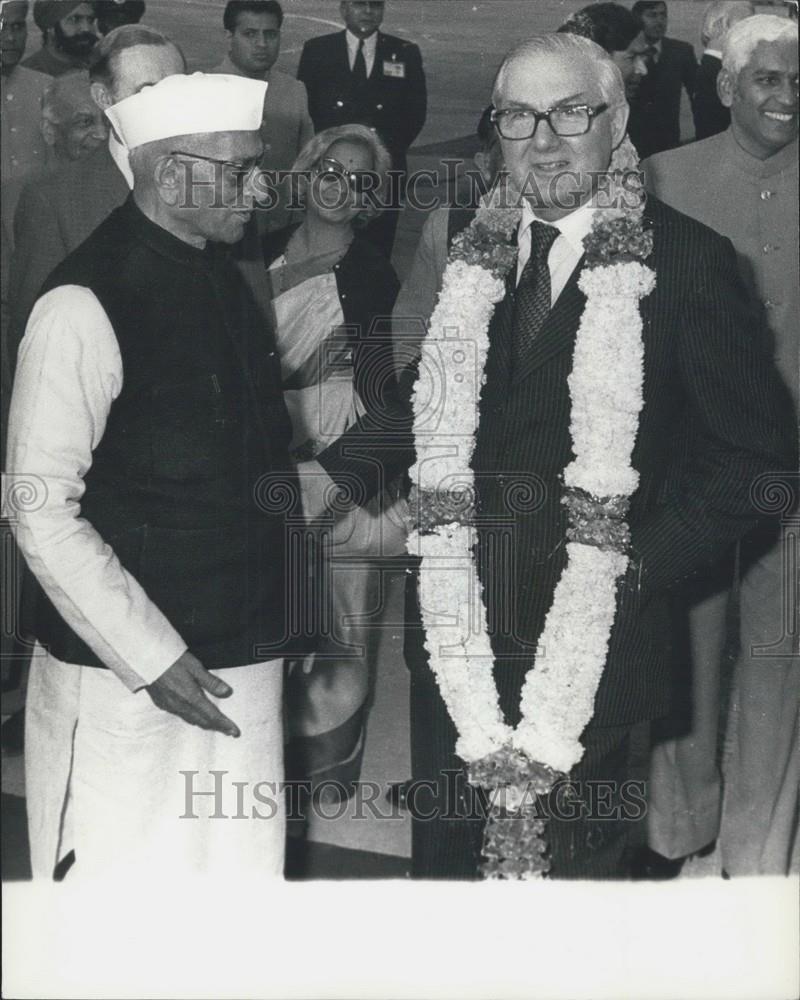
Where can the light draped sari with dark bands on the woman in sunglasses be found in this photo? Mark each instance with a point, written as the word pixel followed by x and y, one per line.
pixel 327 695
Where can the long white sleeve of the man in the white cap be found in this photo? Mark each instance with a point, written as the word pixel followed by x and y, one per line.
pixel 69 372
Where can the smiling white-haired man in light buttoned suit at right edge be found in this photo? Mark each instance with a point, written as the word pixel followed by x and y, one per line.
pixel 743 183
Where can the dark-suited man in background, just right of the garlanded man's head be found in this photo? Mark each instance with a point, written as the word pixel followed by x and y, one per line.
pixel 671 67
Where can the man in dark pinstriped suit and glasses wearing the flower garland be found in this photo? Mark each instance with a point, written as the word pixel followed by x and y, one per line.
pixel 715 418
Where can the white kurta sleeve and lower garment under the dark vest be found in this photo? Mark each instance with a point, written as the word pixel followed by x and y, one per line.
pixel 103 764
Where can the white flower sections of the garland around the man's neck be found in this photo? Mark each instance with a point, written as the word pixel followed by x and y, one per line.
pixel 558 696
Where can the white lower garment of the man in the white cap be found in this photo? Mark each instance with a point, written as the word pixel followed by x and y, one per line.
pixel 130 787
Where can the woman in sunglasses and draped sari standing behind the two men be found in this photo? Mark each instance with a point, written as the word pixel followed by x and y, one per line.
pixel 330 289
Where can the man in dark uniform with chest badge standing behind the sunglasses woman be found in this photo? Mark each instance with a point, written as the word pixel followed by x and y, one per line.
pixel 362 75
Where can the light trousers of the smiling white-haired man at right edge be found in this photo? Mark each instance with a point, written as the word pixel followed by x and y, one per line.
pixel 758 826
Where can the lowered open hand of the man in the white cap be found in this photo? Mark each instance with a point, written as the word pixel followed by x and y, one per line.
pixel 181 690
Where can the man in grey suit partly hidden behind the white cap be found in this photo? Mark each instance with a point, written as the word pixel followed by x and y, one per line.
pixel 57 212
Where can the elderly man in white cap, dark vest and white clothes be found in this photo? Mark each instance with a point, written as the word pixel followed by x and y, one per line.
pixel 148 436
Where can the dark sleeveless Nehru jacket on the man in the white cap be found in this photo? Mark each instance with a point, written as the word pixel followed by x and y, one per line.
pixel 188 483
